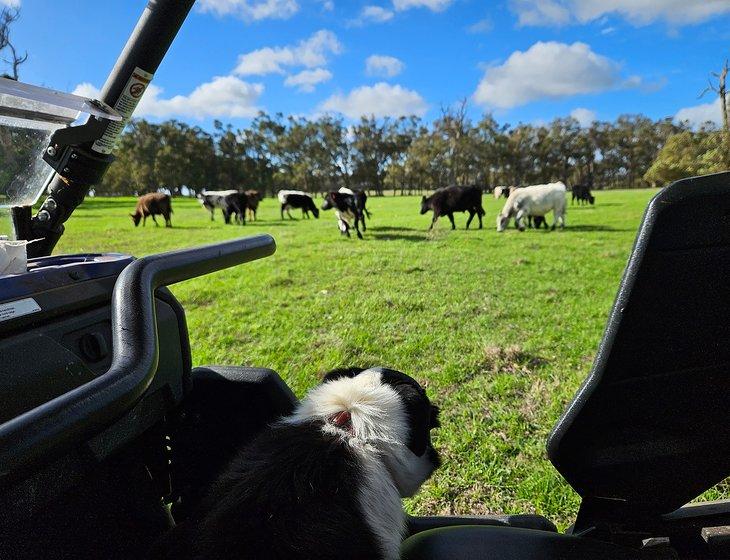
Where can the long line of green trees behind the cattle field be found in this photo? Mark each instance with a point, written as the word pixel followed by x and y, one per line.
pixel 404 154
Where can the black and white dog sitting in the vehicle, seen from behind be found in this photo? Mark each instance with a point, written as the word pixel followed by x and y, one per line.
pixel 324 483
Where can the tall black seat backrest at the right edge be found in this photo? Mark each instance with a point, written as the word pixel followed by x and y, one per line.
pixel 650 424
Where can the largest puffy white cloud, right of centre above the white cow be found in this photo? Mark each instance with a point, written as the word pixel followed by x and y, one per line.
pixel 549 70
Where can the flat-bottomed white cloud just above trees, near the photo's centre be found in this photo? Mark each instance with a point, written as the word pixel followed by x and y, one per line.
pixel 380 100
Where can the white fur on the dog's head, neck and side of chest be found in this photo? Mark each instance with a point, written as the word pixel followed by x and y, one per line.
pixel 379 434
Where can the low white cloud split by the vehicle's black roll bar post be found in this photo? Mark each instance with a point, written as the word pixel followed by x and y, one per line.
pixel 223 96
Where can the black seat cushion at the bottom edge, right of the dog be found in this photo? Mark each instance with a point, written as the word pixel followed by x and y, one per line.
pixel 470 542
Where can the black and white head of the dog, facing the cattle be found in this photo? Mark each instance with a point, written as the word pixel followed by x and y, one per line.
pixel 383 410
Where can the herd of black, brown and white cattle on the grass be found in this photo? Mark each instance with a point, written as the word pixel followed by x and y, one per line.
pixel 528 206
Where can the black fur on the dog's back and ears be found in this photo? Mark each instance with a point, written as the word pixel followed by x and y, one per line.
pixel 291 494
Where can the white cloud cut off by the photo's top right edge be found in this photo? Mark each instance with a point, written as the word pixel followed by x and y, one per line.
pixel 638 12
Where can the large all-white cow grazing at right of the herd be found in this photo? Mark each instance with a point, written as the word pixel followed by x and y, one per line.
pixel 537 200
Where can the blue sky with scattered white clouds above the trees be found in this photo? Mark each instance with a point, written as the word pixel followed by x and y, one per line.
pixel 523 60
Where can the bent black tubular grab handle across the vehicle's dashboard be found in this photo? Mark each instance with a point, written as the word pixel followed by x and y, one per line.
pixel 90 407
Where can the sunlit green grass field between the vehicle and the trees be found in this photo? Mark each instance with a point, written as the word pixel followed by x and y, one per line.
pixel 501 328
